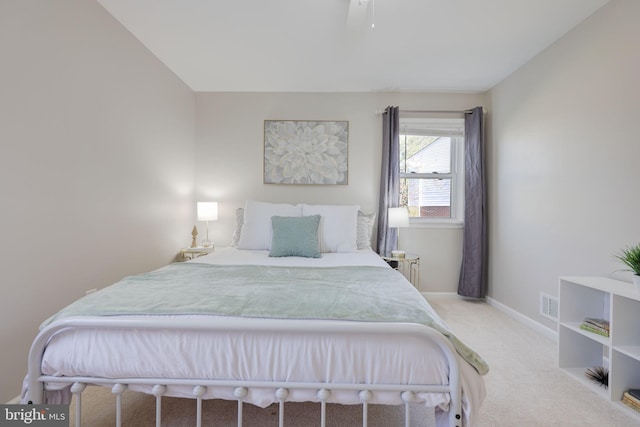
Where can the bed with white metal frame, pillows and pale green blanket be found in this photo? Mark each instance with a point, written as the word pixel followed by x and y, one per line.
pixel 279 316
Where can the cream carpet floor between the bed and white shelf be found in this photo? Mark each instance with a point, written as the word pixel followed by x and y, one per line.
pixel 525 387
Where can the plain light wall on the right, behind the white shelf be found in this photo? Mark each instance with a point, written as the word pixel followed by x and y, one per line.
pixel 563 162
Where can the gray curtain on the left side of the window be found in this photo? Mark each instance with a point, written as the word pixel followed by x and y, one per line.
pixel 389 179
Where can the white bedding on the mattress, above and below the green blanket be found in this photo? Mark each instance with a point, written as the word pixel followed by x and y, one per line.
pixel 259 356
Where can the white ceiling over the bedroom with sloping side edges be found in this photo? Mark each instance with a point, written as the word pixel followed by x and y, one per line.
pixel 330 45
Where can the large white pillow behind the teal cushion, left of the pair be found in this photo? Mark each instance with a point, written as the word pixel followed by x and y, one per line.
pixel 256 227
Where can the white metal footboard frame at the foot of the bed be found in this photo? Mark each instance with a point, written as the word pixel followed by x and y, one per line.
pixel 37 380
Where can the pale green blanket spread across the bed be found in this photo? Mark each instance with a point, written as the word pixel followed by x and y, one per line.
pixel 373 294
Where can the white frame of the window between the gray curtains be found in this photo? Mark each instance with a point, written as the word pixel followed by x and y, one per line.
pixel 447 127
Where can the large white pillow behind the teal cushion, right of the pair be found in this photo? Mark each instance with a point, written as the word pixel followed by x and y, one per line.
pixel 338 229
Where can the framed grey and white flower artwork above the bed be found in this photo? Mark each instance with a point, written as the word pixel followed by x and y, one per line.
pixel 306 152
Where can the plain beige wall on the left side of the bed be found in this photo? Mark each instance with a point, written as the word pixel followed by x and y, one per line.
pixel 96 157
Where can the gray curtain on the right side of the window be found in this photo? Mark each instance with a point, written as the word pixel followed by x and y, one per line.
pixel 473 273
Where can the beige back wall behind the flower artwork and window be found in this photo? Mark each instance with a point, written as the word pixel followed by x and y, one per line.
pixel 229 133
